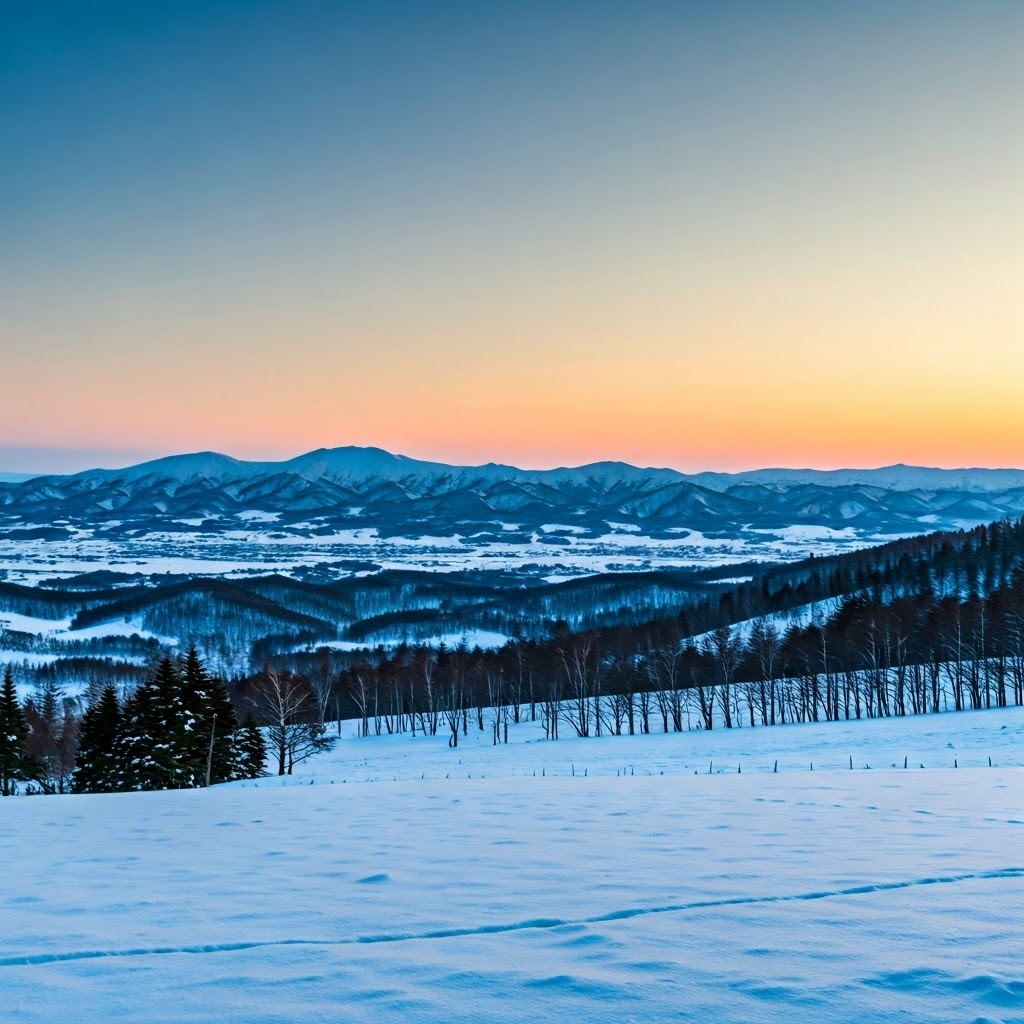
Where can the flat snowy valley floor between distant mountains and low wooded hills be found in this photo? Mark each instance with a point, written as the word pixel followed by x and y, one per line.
pixel 259 551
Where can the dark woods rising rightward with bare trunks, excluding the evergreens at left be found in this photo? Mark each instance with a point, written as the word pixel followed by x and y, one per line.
pixel 925 626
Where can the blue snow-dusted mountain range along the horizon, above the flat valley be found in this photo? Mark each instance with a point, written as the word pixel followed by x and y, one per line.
pixel 368 488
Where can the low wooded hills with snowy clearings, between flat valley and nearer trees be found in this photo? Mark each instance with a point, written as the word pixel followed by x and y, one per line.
pixel 238 624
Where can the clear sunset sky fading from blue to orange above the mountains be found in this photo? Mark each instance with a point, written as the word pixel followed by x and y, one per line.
pixel 709 236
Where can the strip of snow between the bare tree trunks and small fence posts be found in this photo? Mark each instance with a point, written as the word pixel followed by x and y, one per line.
pixel 962 739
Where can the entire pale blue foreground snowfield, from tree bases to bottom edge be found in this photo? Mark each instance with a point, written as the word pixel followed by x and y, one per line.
pixel 827 897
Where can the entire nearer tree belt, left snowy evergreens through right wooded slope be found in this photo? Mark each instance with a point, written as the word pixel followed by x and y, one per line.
pixel 921 626
